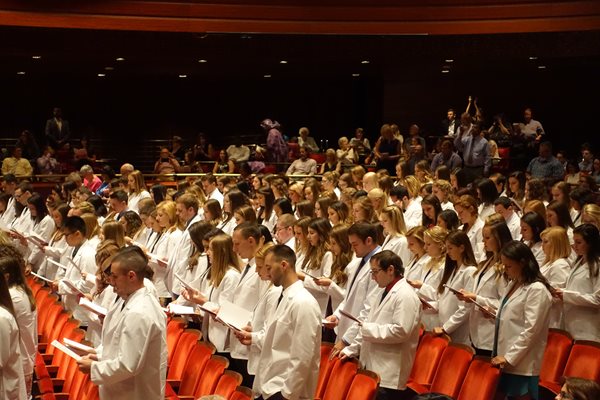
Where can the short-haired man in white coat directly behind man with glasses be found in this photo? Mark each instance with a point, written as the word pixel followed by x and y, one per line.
pixel 361 288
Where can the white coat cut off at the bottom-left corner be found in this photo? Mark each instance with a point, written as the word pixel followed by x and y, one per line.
pixel 12 381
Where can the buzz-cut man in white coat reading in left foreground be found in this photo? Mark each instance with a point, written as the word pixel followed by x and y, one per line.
pixel 133 361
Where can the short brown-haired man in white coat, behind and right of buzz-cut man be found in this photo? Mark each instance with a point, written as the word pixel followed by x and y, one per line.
pixel 187 211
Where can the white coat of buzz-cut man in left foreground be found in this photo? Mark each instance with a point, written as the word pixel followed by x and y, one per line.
pixel 133 365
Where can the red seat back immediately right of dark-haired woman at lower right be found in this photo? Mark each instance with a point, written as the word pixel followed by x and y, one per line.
pixel 556 355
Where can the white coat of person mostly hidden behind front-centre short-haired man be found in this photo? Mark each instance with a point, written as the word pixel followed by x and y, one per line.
pixel 264 309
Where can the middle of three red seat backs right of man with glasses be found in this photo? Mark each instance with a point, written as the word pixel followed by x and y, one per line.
pixel 452 369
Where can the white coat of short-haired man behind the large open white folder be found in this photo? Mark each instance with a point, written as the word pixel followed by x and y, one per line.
pixel 246 294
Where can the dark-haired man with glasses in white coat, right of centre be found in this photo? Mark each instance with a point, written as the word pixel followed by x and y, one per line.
pixel 387 340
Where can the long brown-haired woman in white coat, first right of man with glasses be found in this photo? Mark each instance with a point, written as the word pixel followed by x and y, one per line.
pixel 458 274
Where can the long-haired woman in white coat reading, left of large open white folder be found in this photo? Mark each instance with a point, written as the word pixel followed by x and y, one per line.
pixel 224 277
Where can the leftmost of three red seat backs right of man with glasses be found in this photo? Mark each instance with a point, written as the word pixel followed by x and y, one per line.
pixel 428 356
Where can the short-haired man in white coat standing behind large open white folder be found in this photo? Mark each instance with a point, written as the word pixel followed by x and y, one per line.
pixel 247 240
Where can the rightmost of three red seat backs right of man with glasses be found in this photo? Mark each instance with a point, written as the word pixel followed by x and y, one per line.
pixel 481 380
